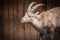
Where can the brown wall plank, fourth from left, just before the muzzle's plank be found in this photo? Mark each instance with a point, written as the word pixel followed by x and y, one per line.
pixel 15 26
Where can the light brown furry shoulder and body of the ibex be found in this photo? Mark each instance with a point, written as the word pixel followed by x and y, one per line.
pixel 50 17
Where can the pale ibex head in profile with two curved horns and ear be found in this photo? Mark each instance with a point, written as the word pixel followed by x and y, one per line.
pixel 30 15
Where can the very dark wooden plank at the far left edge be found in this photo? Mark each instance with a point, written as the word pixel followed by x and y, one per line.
pixel 1 20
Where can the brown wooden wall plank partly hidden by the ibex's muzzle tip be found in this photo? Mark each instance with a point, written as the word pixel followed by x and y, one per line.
pixel 21 31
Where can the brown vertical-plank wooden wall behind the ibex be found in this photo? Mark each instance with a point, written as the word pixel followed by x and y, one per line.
pixel 11 12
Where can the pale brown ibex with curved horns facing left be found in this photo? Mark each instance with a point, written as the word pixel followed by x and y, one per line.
pixel 46 19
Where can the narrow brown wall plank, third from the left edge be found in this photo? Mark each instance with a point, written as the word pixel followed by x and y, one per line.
pixel 10 14
